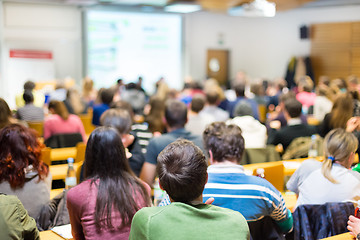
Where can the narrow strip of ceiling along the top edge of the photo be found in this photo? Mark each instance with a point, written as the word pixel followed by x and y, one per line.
pixel 209 5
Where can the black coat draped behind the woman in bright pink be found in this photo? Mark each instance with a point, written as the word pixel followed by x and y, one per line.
pixel 63 140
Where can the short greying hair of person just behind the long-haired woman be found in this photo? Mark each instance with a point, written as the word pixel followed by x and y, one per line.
pixel 117 118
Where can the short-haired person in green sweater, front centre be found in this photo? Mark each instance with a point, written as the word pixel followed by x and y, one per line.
pixel 182 174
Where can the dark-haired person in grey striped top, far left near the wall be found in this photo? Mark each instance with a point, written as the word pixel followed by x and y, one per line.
pixel 30 112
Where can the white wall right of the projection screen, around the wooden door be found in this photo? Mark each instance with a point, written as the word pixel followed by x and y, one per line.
pixel 259 46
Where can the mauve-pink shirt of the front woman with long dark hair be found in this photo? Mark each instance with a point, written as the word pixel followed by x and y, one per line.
pixel 81 201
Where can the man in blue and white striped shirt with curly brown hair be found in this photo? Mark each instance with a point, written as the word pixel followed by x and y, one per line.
pixel 254 197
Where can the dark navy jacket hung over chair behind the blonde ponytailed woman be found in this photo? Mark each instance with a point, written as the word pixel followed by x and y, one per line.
pixel 320 221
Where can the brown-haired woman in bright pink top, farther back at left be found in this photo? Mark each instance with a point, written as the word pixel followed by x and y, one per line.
pixel 61 122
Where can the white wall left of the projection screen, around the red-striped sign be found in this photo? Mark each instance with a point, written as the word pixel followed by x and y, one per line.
pixel 52 28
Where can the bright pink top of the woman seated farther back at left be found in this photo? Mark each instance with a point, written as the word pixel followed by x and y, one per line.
pixel 54 124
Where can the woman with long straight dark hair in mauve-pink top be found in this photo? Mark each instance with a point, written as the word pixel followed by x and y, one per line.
pixel 102 206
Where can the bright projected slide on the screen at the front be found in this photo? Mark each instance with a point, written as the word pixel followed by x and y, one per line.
pixel 129 45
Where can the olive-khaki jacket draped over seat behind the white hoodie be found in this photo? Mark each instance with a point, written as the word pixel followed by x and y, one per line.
pixel 259 155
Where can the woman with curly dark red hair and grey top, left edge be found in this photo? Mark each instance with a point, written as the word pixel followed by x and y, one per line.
pixel 22 173
